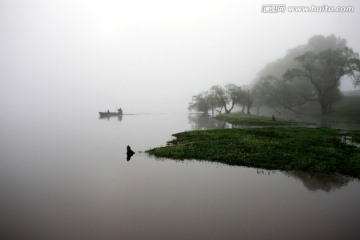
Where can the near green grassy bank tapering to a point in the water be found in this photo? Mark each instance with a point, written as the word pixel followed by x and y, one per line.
pixel 320 150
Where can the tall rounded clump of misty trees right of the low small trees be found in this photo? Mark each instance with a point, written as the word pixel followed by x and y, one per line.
pixel 324 56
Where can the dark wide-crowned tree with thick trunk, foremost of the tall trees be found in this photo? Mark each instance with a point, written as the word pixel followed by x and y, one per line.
pixel 324 71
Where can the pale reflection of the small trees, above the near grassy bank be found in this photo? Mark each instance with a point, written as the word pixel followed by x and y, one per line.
pixel 200 122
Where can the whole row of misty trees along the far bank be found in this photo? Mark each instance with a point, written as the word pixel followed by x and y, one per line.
pixel 308 73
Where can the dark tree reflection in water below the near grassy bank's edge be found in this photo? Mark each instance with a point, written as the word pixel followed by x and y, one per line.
pixel 314 182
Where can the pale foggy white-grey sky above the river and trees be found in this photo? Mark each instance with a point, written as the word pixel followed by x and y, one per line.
pixel 146 56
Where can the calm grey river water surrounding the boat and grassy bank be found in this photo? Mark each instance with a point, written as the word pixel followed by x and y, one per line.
pixel 67 177
